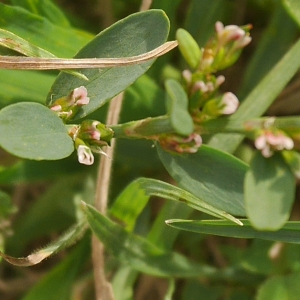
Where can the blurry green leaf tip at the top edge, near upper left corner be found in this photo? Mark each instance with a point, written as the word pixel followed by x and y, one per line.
pixel 44 8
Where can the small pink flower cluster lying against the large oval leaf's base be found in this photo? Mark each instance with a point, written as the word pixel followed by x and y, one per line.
pixel 66 107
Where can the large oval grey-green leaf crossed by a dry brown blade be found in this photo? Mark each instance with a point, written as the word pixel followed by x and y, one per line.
pixel 131 36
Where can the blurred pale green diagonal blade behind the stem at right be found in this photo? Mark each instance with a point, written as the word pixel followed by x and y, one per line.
pixel 261 97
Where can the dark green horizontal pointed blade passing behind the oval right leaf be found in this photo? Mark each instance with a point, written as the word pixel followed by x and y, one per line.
pixel 289 233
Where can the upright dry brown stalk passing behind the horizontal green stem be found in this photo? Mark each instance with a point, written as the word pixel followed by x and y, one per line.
pixel 102 286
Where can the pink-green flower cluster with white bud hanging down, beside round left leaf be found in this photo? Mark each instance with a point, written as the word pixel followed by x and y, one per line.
pixel 90 137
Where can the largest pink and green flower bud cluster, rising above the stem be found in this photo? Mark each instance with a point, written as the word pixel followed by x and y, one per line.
pixel 202 85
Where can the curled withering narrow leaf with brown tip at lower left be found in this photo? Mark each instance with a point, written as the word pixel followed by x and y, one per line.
pixel 67 239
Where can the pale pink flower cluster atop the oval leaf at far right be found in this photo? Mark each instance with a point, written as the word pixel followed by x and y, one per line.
pixel 269 141
